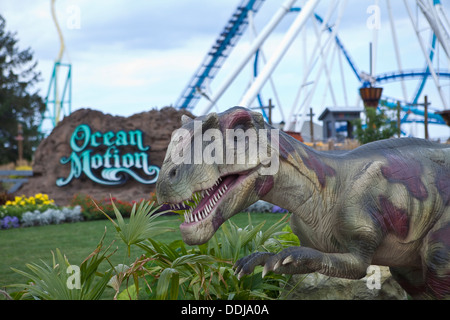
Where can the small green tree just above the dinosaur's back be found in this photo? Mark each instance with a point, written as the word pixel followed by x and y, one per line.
pixel 377 127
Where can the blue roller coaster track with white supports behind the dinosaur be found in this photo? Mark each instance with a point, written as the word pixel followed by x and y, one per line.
pixel 429 16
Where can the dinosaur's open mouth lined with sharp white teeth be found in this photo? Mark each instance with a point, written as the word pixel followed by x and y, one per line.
pixel 204 202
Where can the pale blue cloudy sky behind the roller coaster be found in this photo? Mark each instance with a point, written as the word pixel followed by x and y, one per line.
pixel 132 56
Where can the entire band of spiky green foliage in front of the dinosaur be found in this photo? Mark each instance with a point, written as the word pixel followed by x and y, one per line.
pixel 170 271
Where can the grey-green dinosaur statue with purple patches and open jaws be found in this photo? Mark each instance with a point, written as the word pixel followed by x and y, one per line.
pixel 384 203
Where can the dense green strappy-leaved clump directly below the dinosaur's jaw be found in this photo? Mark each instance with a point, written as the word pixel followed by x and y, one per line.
pixel 205 272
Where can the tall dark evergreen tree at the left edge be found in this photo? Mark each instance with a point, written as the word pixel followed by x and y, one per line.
pixel 20 102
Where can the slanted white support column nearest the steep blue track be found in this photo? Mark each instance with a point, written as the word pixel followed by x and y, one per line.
pixel 281 12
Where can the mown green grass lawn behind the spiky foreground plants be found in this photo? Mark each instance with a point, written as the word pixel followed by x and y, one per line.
pixel 77 240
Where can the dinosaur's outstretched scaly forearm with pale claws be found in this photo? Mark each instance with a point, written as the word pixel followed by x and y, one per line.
pixel 300 260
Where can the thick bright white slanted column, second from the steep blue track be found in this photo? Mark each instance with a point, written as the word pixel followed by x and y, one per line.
pixel 299 22
